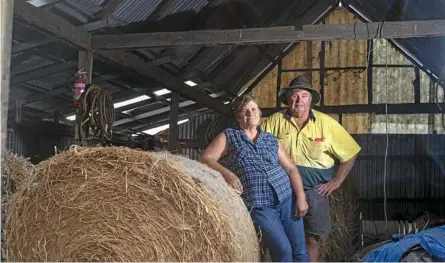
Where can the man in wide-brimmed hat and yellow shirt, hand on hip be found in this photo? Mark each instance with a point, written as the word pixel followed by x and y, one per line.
pixel 314 141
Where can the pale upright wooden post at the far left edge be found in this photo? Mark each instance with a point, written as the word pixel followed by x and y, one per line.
pixel 6 21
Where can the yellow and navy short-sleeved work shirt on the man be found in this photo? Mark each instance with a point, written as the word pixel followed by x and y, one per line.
pixel 315 147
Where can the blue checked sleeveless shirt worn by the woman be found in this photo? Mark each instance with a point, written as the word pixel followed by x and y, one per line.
pixel 258 168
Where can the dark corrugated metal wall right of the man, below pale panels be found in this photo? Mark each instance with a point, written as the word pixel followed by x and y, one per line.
pixel 415 175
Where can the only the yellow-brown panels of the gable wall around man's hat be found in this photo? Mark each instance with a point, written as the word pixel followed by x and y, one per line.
pixel 340 87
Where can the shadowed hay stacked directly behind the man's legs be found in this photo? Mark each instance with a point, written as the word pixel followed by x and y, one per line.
pixel 338 245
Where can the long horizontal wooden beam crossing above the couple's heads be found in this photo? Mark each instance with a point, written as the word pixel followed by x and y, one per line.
pixel 273 35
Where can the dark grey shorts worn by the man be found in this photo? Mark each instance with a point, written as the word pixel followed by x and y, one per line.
pixel 317 220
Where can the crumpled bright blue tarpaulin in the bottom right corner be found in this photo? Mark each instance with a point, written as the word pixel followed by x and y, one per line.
pixel 432 240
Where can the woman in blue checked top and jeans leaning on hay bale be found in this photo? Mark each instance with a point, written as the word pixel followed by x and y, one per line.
pixel 253 168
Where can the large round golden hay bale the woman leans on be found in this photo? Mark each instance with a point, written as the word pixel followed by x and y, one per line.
pixel 119 204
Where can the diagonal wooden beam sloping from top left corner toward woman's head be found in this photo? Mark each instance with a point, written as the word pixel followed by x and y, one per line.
pixel 81 39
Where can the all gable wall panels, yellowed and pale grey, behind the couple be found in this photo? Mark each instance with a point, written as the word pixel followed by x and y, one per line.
pixel 344 84
